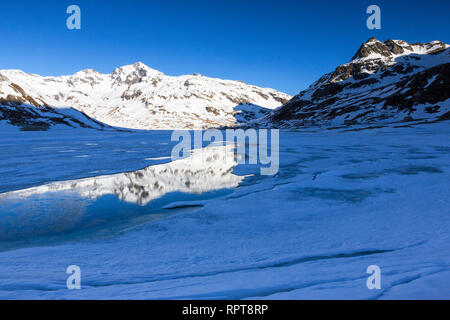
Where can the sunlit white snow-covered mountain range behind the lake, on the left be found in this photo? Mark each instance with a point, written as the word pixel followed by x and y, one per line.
pixel 133 96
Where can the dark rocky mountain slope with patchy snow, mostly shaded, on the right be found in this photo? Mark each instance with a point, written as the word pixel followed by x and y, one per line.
pixel 385 82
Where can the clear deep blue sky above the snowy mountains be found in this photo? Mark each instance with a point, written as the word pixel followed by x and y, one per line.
pixel 281 44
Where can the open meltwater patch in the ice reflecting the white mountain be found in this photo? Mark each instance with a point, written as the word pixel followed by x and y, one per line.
pixel 77 205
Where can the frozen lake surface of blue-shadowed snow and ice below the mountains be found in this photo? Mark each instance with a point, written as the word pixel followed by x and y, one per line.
pixel 341 201
